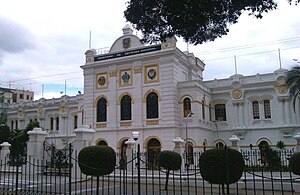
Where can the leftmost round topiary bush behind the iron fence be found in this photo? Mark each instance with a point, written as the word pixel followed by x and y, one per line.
pixel 97 160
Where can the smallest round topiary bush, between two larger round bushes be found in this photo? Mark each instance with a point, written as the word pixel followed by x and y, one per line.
pixel 169 160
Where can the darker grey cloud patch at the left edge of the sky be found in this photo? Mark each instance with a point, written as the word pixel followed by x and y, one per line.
pixel 14 38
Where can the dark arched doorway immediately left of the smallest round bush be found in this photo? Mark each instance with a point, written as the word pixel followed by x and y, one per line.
pixel 153 149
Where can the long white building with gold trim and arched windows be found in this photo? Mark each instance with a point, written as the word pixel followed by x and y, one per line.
pixel 153 89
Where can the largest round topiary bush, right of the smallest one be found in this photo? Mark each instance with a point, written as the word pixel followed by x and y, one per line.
pixel 217 168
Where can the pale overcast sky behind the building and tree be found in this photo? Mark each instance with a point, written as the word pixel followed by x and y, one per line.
pixel 39 40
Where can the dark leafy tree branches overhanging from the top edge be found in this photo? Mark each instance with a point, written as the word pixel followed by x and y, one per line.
pixel 197 21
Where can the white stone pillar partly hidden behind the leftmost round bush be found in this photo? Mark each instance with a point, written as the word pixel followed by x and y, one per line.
pixel 84 137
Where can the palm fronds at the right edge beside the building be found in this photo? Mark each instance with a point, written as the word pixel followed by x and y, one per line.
pixel 293 82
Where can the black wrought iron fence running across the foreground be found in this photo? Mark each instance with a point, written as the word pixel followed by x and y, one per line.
pixel 139 177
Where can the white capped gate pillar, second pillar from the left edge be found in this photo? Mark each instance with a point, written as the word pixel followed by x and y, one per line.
pixel 35 144
